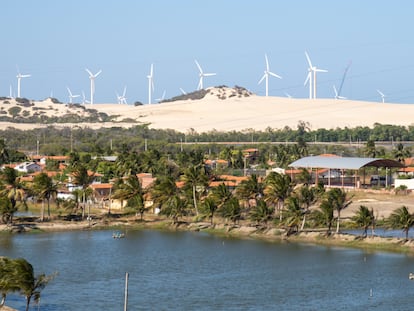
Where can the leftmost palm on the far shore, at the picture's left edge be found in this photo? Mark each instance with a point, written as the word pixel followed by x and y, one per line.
pixel 13 189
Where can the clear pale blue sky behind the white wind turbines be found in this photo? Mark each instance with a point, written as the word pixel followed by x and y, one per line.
pixel 55 41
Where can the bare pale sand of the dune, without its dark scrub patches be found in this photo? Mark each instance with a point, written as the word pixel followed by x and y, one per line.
pixel 224 110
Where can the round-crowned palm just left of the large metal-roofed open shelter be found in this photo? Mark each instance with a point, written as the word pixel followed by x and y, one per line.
pixel 278 187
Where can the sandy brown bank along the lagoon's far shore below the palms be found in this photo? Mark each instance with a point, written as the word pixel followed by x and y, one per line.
pixel 243 231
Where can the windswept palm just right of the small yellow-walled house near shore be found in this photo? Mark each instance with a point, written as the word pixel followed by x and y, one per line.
pixel 131 191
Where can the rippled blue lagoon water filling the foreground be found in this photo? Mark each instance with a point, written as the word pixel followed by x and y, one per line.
pixel 199 271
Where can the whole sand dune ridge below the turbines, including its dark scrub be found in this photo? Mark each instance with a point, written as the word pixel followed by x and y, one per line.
pixel 214 109
